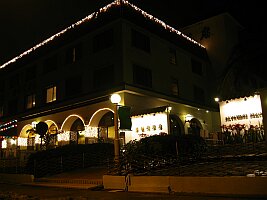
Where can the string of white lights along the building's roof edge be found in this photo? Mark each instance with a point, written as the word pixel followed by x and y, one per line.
pixel 93 16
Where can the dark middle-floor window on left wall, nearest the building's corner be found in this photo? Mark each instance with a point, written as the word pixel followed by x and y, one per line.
pixel 104 76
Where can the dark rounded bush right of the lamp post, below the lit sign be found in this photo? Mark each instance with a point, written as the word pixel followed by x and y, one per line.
pixel 161 151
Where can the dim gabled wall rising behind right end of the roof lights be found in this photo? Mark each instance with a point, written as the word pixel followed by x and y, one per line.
pixel 219 34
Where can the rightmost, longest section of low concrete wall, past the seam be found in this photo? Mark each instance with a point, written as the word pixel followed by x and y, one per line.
pixel 220 185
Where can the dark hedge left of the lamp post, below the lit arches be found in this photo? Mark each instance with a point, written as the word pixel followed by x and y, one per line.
pixel 69 157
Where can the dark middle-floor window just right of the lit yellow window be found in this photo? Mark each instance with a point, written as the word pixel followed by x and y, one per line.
pixel 73 86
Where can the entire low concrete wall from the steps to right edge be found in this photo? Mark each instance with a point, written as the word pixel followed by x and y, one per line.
pixel 236 185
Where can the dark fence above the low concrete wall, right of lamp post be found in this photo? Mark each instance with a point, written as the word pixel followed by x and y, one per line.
pixel 217 160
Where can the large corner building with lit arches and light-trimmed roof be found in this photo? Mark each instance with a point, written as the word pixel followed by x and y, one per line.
pixel 66 81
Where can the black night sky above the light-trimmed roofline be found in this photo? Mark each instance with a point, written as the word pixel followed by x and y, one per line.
pixel 28 22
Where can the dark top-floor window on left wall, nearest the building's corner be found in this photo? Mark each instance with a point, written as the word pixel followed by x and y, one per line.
pixel 103 40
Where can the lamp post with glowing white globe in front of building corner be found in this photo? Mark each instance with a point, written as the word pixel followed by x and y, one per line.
pixel 115 99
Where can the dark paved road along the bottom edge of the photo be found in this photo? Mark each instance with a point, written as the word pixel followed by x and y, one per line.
pixel 10 191
